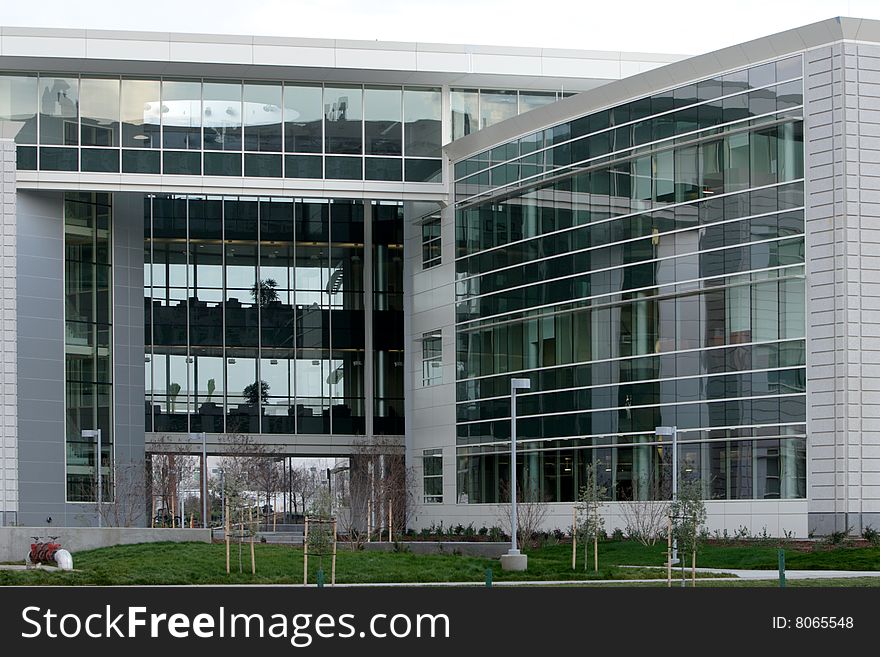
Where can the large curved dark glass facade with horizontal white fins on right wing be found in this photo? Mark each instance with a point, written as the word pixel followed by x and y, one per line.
pixel 643 266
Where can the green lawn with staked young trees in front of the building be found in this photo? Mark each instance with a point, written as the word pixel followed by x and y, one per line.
pixel 203 563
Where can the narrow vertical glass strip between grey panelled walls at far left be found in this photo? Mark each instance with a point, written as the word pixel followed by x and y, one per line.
pixel 88 343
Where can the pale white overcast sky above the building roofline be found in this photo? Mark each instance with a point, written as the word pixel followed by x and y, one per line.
pixel 634 25
